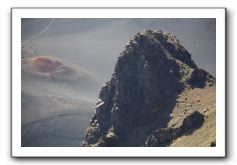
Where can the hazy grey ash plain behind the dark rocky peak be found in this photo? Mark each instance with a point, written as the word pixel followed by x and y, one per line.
pixel 56 112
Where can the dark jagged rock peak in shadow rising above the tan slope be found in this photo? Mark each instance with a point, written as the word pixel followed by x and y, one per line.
pixel 134 108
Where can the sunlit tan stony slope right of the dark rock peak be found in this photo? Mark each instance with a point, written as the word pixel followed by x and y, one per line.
pixel 202 100
